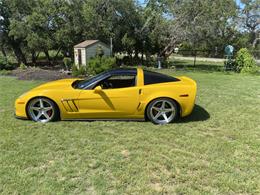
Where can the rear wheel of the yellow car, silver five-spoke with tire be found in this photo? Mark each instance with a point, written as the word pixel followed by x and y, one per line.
pixel 162 111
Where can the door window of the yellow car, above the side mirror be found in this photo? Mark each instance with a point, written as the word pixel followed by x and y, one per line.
pixel 118 81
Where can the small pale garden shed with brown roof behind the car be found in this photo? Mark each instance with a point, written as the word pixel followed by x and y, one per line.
pixel 88 49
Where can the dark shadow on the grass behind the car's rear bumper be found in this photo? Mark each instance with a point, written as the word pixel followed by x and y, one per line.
pixel 198 114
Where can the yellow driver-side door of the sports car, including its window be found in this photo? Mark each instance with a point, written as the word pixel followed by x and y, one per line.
pixel 116 98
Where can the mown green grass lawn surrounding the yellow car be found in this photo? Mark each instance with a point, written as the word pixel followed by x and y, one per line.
pixel 214 151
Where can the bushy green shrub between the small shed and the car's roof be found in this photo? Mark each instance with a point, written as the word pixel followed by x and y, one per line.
pixel 100 64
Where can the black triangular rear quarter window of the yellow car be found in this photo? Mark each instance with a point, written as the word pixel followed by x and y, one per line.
pixel 154 77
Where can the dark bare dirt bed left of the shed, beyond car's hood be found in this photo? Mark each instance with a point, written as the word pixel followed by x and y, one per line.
pixel 39 74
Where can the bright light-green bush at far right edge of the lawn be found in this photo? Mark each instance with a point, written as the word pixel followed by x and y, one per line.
pixel 244 62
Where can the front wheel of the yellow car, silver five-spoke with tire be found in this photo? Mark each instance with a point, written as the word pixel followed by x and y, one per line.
pixel 43 110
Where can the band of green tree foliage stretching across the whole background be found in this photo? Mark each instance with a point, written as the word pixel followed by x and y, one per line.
pixel 28 27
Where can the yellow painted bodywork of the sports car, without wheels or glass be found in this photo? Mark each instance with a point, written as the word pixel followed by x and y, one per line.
pixel 129 102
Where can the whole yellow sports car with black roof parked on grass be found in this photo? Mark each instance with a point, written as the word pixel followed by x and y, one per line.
pixel 115 94
